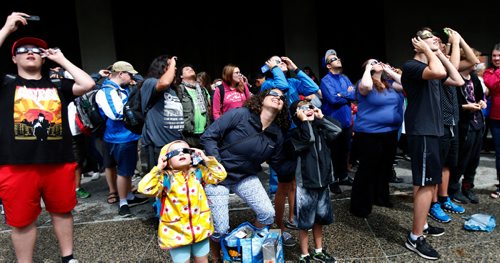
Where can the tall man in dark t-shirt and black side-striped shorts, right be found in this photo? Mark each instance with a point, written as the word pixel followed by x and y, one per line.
pixel 422 78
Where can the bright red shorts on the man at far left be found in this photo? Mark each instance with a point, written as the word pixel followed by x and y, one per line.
pixel 22 187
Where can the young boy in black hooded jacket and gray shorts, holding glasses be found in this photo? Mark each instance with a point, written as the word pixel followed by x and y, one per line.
pixel 314 173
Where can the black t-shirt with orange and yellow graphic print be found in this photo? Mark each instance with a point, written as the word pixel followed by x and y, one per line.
pixel 34 122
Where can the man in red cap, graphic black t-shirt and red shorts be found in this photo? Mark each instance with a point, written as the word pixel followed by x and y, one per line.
pixel 32 169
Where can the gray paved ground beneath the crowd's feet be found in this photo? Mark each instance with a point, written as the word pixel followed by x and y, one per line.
pixel 100 236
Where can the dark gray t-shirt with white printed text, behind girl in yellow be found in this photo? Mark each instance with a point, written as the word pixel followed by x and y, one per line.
pixel 164 121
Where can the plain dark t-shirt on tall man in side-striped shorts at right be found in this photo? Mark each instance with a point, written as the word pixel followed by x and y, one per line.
pixel 423 115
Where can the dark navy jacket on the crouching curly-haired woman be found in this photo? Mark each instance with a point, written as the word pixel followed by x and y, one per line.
pixel 237 141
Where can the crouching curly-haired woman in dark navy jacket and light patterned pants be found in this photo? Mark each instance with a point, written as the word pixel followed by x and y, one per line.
pixel 242 139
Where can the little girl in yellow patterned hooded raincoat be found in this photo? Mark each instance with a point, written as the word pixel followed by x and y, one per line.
pixel 185 218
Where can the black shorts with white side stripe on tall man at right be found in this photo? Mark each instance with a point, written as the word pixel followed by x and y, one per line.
pixel 425 155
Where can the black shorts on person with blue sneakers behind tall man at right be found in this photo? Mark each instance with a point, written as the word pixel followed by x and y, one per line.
pixel 449 146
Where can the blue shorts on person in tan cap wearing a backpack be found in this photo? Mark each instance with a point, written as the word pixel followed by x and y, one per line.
pixel 122 155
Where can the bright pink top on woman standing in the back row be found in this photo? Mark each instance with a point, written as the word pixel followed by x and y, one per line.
pixel 232 99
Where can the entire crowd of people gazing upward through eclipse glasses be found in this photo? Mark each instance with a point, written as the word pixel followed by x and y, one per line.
pixel 203 140
